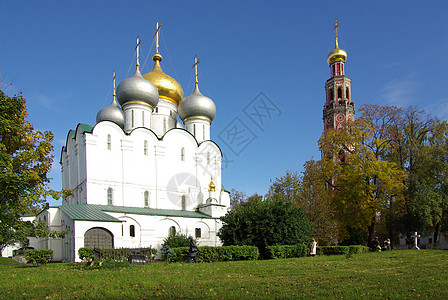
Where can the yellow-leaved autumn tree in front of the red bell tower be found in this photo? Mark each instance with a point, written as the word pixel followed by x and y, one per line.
pixel 365 185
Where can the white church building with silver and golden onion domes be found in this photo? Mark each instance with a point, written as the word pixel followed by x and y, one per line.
pixel 138 175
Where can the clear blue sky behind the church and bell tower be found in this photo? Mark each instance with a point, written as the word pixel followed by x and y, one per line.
pixel 61 55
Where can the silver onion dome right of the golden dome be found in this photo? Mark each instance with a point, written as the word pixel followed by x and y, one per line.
pixel 197 105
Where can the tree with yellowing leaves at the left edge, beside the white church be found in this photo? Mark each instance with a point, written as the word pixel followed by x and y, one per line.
pixel 25 161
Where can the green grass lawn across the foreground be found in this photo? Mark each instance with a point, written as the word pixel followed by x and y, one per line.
pixel 391 275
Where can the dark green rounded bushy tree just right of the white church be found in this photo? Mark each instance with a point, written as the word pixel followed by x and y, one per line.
pixel 264 222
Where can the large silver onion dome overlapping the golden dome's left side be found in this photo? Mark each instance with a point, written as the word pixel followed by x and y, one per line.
pixel 137 88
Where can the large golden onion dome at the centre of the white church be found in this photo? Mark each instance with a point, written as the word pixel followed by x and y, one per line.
pixel 167 86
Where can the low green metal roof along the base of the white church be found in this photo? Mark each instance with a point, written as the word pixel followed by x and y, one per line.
pixel 93 212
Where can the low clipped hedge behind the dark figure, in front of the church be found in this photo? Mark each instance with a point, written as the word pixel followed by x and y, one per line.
pixel 214 254
